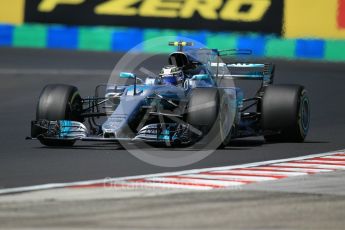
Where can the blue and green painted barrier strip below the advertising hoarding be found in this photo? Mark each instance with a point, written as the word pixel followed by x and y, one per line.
pixel 123 39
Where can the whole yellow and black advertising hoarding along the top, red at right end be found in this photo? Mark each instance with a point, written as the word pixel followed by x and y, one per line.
pixel 290 18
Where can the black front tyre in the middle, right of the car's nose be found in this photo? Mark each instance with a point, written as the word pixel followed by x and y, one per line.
pixel 204 115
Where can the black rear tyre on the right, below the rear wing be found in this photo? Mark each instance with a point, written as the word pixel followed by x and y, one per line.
pixel 285 113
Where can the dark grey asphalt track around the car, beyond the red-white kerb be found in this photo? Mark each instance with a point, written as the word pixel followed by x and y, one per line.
pixel 24 72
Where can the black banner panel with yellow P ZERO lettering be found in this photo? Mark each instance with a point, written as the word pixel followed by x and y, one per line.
pixel 264 16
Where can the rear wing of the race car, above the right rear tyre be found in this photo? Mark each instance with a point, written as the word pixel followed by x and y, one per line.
pixel 245 71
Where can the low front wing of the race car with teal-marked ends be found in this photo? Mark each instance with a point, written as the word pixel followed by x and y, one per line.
pixel 170 133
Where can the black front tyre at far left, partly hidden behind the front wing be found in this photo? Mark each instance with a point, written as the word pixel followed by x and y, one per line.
pixel 59 102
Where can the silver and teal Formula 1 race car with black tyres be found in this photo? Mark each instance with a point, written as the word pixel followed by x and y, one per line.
pixel 192 100
